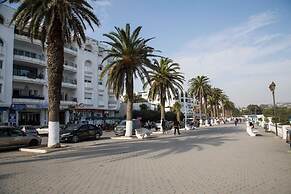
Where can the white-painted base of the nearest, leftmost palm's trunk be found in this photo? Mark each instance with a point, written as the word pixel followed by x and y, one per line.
pixel 53 134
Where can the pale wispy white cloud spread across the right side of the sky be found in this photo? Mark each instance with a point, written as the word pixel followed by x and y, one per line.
pixel 242 59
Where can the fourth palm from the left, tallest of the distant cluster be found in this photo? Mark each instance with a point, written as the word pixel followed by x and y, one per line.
pixel 199 86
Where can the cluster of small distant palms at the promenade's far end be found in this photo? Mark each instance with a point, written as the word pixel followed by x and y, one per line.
pixel 211 99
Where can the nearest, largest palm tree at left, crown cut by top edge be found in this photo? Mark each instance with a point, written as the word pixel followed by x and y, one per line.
pixel 55 23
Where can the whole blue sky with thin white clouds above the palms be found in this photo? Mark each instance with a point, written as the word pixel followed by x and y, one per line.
pixel 242 46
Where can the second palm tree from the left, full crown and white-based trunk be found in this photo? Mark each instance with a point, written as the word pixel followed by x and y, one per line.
pixel 129 54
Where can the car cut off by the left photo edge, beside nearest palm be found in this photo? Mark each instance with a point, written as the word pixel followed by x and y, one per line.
pixel 11 137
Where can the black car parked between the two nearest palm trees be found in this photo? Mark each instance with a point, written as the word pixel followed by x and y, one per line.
pixel 79 132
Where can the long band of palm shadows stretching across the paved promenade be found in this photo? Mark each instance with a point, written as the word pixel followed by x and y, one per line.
pixel 151 149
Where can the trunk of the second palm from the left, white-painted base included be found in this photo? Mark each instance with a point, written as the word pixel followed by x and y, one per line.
pixel 129 92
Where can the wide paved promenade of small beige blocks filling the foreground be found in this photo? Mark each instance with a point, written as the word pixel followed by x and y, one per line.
pixel 220 159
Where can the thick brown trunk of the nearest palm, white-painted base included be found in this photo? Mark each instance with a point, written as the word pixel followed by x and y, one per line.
pixel 55 61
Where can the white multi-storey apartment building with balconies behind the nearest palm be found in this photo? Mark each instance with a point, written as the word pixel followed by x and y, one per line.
pixel 23 79
